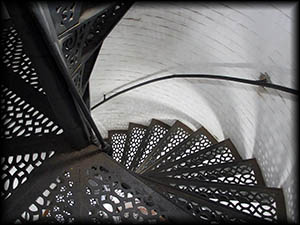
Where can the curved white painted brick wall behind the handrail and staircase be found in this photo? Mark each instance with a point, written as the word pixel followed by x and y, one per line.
pixel 156 39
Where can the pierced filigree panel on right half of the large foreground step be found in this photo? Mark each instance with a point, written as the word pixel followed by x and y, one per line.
pixel 113 201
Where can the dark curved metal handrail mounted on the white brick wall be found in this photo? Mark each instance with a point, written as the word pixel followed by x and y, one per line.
pixel 262 83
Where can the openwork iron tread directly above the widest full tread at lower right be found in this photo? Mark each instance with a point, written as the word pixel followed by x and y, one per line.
pixel 246 172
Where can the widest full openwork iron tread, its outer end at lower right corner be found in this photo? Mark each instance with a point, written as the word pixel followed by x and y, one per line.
pixel 262 202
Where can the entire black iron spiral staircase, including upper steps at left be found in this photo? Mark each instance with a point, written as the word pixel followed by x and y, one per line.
pixel 56 168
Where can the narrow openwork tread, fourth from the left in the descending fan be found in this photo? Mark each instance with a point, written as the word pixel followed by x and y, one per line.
pixel 178 133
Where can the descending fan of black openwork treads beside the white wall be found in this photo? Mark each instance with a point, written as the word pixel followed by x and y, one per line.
pixel 205 180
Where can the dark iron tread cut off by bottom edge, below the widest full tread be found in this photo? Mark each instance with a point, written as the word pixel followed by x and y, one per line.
pixel 202 209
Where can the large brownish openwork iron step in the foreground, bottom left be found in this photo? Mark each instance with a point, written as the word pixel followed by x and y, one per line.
pixel 94 188
